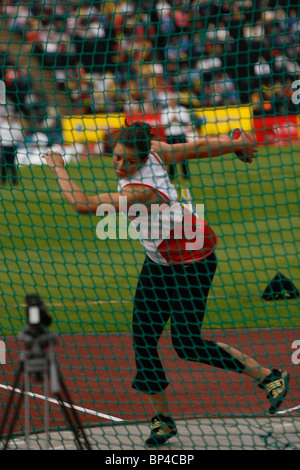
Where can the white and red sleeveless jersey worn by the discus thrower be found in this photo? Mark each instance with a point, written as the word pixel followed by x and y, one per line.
pixel 160 230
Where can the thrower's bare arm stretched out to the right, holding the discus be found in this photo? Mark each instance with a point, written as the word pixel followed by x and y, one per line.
pixel 205 147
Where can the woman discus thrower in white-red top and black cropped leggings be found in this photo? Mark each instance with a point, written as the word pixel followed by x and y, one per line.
pixel 176 277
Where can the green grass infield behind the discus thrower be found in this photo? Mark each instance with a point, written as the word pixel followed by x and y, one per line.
pixel 46 247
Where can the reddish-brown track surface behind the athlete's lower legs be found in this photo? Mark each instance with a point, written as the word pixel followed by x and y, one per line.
pixel 98 371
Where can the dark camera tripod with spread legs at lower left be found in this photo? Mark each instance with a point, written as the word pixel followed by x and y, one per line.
pixel 37 363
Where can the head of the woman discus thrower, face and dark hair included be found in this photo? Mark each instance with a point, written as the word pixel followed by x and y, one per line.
pixel 131 145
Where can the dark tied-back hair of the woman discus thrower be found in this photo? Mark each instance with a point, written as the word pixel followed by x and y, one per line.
pixel 136 136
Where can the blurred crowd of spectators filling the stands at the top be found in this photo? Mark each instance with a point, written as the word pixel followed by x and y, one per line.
pixel 125 56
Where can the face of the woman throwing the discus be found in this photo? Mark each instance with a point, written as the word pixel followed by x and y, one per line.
pixel 125 161
